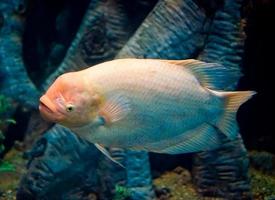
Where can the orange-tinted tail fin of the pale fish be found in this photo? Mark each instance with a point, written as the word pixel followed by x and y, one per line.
pixel 233 100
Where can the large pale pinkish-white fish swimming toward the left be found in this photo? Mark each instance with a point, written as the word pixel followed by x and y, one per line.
pixel 163 106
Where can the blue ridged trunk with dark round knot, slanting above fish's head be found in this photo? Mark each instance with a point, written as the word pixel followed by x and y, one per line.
pixel 105 28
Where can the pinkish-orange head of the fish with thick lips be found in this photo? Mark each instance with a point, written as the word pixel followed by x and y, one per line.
pixel 69 101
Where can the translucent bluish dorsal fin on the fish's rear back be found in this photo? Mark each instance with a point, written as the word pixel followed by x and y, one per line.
pixel 210 75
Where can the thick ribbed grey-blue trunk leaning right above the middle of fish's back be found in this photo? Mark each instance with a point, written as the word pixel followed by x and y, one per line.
pixel 175 29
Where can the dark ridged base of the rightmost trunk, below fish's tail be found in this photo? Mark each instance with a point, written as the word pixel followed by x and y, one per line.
pixel 223 172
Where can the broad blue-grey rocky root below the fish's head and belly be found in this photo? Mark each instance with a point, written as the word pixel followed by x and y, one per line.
pixel 61 166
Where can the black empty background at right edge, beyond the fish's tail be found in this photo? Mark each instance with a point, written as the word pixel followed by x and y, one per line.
pixel 256 117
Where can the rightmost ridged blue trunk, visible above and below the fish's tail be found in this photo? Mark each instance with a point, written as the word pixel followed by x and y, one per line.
pixel 224 172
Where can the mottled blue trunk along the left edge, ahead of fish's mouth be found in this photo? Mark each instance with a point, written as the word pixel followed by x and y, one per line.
pixel 14 78
